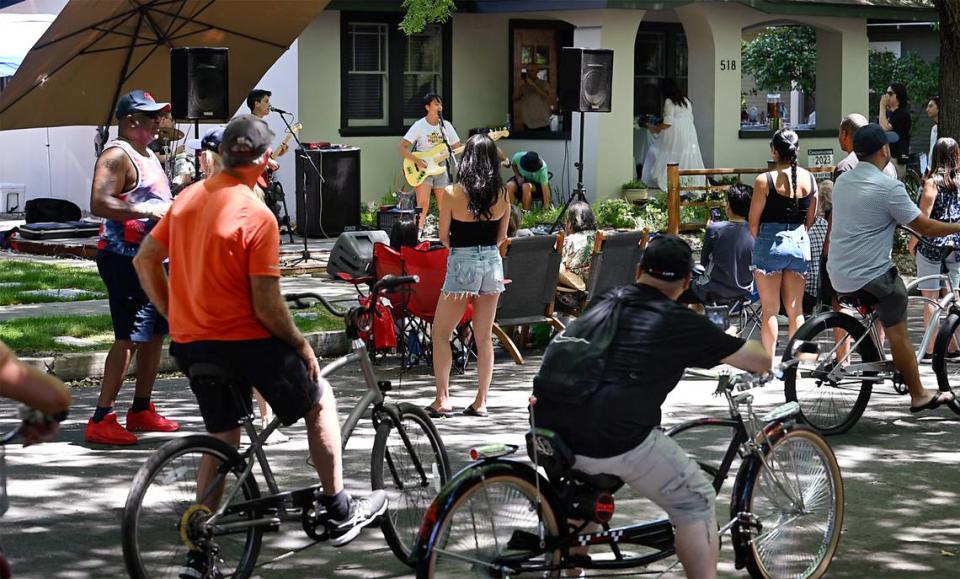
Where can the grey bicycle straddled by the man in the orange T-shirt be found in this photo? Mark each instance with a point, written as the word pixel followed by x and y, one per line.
pixel 166 516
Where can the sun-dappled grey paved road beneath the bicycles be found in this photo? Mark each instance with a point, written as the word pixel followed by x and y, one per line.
pixel 900 473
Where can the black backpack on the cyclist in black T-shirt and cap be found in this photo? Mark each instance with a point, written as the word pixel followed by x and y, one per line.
pixel 574 361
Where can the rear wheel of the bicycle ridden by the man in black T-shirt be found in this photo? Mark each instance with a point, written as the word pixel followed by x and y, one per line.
pixel 484 529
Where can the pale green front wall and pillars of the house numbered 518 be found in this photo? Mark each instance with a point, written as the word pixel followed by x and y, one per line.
pixel 480 90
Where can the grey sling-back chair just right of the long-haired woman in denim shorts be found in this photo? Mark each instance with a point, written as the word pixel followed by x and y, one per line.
pixel 532 264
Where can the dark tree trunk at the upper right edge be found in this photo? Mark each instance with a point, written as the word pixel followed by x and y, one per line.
pixel 949 67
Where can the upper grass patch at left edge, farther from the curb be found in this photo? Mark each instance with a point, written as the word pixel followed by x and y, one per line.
pixel 31 275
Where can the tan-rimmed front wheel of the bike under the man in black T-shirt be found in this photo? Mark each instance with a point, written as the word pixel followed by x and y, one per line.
pixel 797 497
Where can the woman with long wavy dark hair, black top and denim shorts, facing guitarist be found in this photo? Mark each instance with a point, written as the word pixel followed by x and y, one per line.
pixel 474 214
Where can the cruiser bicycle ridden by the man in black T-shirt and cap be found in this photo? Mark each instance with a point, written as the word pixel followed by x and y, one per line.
pixel 501 518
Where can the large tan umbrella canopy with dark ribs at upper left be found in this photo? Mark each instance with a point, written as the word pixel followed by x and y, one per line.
pixel 95 51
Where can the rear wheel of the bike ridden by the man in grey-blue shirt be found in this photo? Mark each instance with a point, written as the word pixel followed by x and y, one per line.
pixel 831 407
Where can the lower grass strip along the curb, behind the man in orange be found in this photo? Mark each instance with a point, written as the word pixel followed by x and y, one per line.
pixel 34 336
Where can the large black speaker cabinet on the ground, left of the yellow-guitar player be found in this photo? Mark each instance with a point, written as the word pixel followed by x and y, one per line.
pixel 333 205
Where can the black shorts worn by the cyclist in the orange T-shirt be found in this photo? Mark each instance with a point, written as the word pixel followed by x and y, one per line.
pixel 271 365
